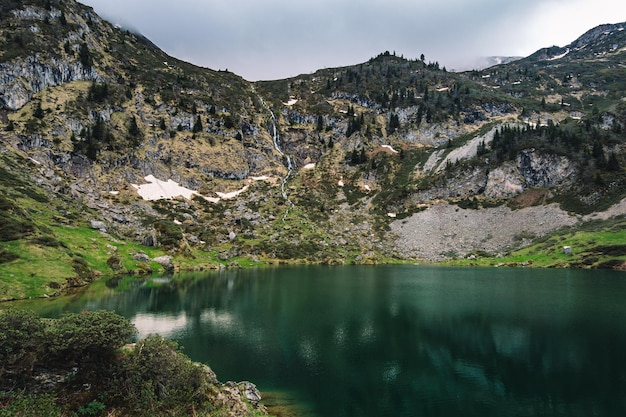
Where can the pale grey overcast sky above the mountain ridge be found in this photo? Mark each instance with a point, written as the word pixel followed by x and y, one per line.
pixel 274 39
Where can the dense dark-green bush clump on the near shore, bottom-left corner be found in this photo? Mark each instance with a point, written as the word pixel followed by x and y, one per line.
pixel 152 379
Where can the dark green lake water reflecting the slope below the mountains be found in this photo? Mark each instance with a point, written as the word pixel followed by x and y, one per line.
pixel 400 340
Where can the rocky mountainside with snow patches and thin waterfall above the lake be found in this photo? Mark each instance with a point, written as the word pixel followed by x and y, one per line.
pixel 336 166
